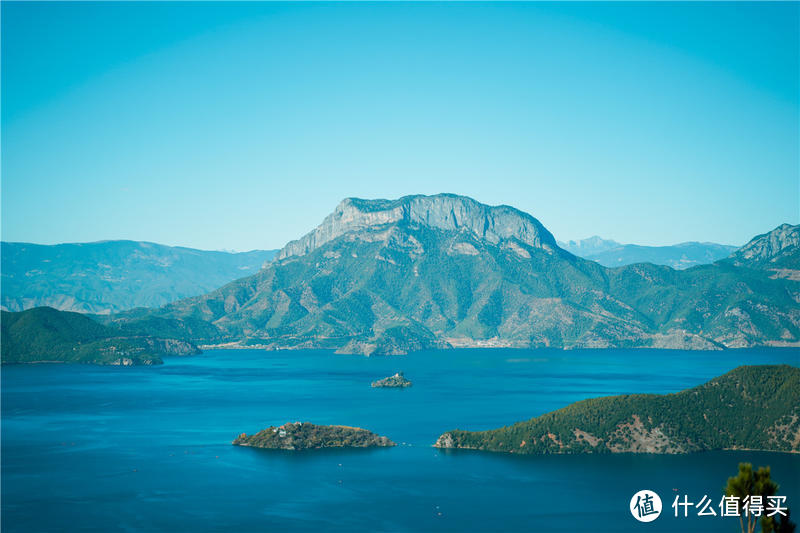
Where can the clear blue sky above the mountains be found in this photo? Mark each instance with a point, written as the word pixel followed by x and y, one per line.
pixel 242 125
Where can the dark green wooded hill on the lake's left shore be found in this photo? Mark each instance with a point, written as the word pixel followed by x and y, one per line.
pixel 44 334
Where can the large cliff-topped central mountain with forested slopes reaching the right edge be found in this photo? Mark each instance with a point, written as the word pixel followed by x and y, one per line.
pixel 423 272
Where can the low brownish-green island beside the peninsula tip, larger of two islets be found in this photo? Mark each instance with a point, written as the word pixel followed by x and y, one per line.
pixel 304 436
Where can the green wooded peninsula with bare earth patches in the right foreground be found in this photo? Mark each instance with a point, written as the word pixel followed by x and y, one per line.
pixel 751 407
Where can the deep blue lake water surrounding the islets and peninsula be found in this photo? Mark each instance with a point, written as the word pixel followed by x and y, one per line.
pixel 106 449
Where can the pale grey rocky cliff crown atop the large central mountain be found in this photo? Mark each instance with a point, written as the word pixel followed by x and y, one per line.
pixel 447 212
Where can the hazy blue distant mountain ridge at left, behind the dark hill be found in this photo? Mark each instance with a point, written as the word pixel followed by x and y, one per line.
pixel 111 276
